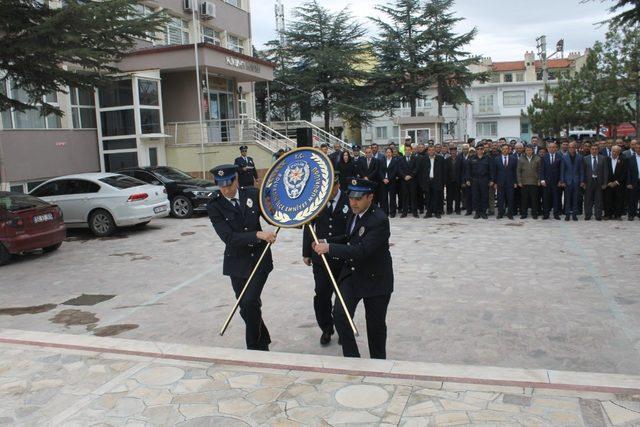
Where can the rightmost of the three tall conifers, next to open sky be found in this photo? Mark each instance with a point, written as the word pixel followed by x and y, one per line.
pixel 447 61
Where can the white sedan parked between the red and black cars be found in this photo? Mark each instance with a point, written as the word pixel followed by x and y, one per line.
pixel 104 201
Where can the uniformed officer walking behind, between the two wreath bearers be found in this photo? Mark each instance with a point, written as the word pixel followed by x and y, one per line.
pixel 330 226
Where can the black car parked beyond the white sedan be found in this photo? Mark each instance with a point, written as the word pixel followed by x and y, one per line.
pixel 186 194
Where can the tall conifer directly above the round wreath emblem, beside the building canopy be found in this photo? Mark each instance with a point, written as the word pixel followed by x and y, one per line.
pixel 327 49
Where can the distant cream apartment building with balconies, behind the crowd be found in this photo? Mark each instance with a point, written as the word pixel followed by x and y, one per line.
pixel 496 108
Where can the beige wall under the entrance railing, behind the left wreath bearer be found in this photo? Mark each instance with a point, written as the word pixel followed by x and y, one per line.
pixel 187 158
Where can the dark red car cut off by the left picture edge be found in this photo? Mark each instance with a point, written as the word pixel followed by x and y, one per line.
pixel 28 223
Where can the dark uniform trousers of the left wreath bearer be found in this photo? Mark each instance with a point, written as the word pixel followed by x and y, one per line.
pixel 256 333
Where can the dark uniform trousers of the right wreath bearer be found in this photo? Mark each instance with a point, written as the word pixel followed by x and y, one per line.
pixel 375 315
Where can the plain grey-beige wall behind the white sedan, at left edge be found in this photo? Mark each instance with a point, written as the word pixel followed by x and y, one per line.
pixel 38 154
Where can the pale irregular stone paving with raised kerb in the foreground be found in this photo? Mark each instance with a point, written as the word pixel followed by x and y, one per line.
pixel 53 379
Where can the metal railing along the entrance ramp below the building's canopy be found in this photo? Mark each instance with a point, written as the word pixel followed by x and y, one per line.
pixel 237 131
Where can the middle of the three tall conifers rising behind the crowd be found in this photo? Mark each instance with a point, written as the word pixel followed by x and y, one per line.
pixel 400 73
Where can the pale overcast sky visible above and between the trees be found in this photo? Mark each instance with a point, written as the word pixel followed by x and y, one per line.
pixel 506 29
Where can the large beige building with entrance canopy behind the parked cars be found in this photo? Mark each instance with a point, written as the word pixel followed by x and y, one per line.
pixel 128 123
